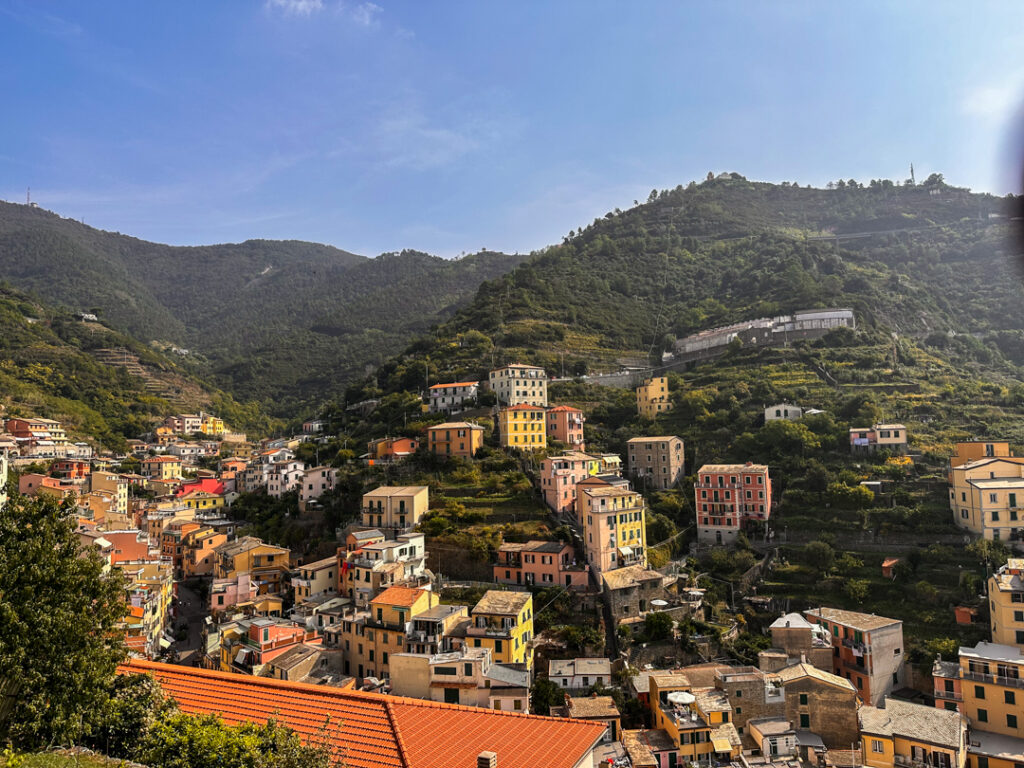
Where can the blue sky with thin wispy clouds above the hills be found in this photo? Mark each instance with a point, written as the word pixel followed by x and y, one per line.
pixel 455 126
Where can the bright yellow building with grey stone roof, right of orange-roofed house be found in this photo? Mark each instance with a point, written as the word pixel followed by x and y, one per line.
pixel 503 622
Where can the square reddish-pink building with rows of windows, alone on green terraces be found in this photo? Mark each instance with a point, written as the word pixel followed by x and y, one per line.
pixel 730 497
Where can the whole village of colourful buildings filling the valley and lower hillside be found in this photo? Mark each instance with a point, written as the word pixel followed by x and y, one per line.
pixel 594 624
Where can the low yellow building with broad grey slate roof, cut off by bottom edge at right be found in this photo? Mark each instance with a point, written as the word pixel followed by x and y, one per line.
pixel 910 735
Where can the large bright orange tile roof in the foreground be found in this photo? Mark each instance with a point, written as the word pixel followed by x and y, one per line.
pixel 380 732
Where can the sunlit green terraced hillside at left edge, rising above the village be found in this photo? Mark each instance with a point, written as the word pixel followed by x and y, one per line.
pixel 51 367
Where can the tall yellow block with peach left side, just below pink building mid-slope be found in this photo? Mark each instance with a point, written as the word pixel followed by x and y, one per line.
pixel 615 532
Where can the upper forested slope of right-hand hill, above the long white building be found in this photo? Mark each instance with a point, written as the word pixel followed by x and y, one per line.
pixel 926 261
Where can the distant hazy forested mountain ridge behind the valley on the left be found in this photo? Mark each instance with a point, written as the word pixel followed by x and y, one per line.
pixel 282 322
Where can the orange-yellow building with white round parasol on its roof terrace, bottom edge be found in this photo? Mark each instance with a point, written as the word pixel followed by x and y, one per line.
pixel 698 720
